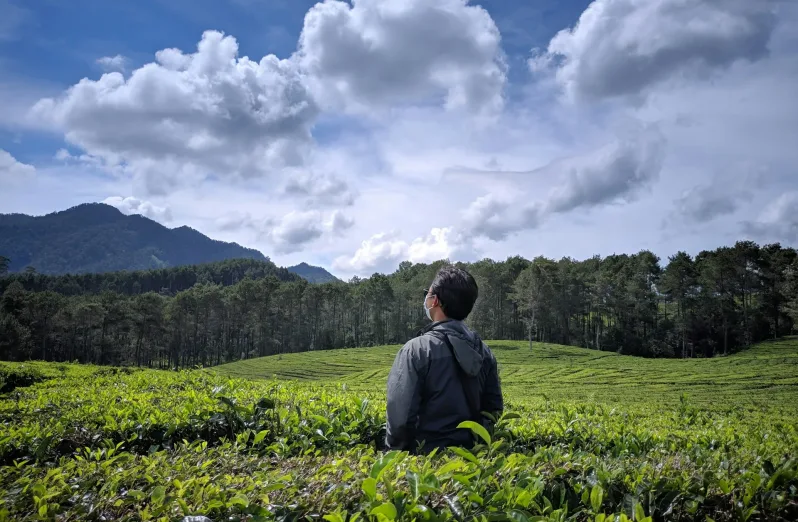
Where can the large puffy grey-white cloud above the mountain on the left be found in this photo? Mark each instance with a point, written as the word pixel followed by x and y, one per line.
pixel 187 117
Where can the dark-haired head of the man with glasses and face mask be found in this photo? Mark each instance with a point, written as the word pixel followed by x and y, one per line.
pixel 451 295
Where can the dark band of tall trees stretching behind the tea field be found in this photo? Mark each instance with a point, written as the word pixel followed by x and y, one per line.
pixel 715 303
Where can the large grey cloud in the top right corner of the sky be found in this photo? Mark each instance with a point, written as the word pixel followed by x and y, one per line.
pixel 622 47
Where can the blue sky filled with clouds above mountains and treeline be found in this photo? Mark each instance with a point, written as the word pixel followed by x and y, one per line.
pixel 357 135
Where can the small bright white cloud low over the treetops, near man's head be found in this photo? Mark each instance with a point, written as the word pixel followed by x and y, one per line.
pixel 384 251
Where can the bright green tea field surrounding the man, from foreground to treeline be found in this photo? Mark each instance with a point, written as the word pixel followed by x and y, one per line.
pixel 587 436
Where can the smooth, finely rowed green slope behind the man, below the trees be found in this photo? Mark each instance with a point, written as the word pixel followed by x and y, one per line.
pixel 767 372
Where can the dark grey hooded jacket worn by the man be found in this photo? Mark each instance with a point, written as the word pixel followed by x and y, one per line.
pixel 426 400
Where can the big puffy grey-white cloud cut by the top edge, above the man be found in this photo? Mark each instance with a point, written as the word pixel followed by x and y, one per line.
pixel 386 52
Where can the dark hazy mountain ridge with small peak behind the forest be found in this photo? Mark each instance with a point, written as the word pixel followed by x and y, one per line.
pixel 95 238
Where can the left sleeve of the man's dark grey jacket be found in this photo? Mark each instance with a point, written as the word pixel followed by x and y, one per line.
pixel 405 385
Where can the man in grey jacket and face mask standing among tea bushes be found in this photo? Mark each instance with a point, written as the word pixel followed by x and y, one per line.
pixel 444 376
